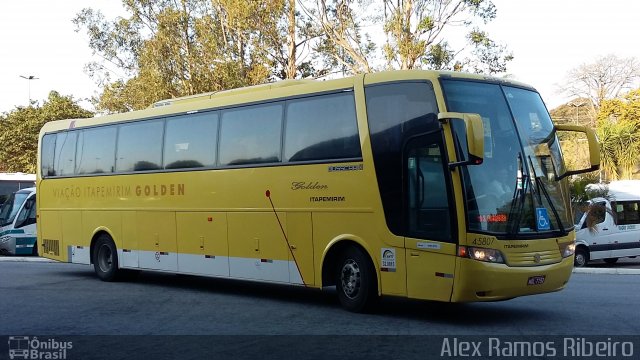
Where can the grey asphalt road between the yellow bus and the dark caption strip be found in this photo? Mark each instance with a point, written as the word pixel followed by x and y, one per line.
pixel 67 299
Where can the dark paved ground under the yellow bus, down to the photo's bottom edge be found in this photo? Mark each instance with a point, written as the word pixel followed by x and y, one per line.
pixel 241 320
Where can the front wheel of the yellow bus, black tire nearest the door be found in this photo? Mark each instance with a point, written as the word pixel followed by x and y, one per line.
pixel 356 281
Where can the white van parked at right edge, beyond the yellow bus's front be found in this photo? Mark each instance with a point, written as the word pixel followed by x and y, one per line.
pixel 616 225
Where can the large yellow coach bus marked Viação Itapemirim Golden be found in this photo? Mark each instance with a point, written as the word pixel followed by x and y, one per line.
pixel 428 185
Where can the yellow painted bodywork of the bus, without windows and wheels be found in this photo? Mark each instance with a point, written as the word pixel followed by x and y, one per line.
pixel 272 223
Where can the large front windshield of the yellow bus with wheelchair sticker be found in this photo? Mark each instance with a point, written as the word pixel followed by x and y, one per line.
pixel 514 191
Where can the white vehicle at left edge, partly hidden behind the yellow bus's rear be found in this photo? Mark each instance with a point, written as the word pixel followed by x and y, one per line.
pixel 18 223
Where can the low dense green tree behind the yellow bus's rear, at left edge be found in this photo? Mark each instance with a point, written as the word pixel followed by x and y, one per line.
pixel 20 127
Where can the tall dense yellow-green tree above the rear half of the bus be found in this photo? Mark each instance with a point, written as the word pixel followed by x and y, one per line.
pixel 168 49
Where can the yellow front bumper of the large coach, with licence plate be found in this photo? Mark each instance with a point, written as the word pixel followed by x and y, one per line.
pixel 483 281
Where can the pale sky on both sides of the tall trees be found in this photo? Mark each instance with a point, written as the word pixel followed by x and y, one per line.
pixel 548 38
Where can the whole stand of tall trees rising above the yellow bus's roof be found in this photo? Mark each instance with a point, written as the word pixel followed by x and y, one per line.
pixel 172 48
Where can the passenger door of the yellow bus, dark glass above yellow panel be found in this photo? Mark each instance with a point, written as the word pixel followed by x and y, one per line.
pixel 430 220
